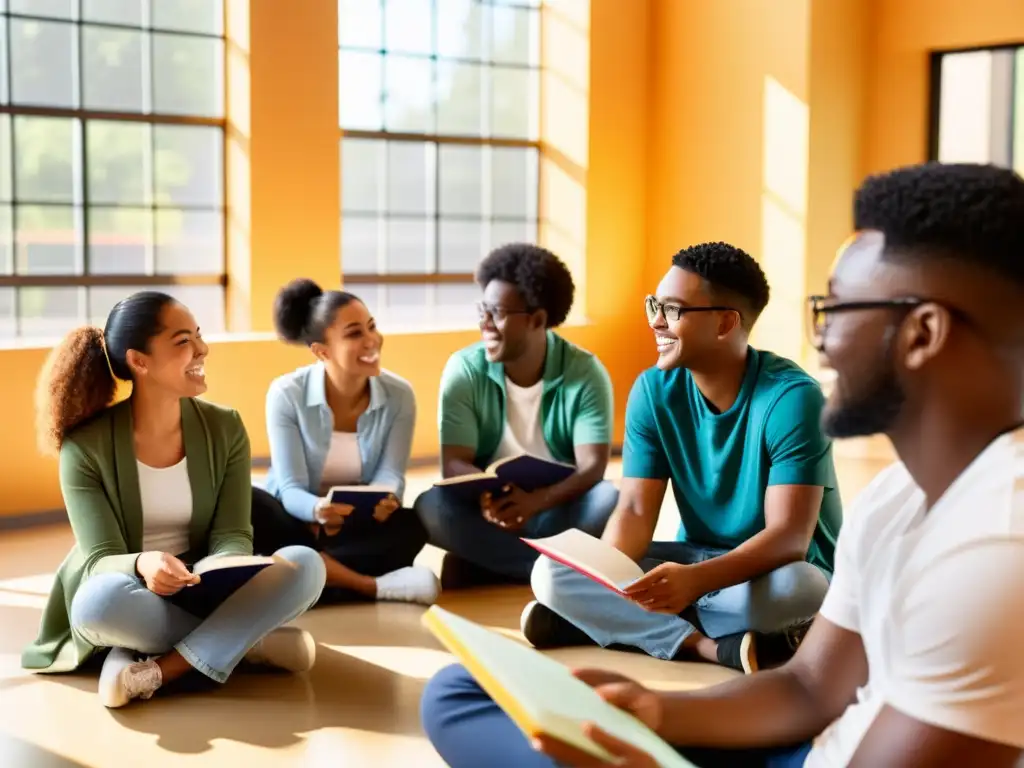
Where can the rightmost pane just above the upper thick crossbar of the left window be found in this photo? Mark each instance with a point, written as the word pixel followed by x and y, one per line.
pixel 188 76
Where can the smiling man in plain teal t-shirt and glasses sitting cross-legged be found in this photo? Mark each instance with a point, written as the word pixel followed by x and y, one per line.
pixel 737 432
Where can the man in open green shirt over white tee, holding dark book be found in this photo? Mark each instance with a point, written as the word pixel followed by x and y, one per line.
pixel 523 391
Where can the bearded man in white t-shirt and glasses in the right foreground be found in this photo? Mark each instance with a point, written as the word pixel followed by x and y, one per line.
pixel 915 659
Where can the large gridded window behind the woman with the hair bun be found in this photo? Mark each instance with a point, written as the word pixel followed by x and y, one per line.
pixel 440 153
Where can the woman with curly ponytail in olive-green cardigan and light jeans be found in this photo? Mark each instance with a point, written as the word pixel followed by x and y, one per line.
pixel 156 483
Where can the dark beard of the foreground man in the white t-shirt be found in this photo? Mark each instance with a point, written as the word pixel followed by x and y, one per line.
pixel 872 411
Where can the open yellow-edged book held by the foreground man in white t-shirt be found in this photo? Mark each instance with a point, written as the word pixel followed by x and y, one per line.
pixel 541 696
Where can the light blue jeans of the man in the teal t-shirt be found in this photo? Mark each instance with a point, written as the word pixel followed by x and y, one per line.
pixel 769 604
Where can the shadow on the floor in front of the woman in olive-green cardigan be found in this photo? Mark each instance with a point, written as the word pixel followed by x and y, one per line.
pixel 275 711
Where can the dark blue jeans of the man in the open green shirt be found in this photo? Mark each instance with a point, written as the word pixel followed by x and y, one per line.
pixel 460 529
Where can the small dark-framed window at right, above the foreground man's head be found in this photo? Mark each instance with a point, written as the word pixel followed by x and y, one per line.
pixel 978 107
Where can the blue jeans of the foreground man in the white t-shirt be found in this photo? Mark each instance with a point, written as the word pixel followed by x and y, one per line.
pixel 470 731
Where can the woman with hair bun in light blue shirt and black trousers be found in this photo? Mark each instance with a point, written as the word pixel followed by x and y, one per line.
pixel 342 421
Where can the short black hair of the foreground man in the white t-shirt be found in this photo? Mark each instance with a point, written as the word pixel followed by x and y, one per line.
pixel 969 212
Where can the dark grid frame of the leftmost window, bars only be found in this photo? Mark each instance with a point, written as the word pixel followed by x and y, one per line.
pixel 84 117
